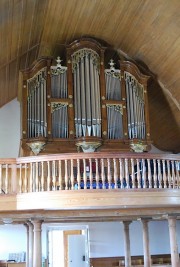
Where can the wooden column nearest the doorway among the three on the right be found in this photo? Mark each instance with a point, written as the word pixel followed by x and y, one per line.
pixel 127 251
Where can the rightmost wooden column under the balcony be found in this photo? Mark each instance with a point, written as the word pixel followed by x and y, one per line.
pixel 173 242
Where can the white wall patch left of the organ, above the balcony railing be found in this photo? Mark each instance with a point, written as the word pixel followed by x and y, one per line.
pixel 10 130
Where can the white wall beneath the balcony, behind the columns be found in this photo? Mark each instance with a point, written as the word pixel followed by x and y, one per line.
pixel 106 239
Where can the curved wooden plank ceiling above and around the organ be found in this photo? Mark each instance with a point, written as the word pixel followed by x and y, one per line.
pixel 144 31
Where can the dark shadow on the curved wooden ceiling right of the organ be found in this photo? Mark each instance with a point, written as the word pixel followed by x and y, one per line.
pixel 163 115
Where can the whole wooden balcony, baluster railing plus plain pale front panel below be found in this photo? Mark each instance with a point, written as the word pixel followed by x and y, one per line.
pixel 91 181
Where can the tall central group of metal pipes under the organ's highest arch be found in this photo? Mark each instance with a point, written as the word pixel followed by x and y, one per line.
pixel 87 93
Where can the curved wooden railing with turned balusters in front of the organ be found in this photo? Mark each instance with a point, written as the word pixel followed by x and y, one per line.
pixel 82 171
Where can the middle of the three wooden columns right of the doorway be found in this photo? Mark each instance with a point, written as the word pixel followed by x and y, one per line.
pixel 147 257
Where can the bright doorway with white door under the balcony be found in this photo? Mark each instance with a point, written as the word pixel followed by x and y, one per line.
pixel 68 247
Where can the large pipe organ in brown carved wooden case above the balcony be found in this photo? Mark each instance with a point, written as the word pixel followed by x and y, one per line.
pixel 86 106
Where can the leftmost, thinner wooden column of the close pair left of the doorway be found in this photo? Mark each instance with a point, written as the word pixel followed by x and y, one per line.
pixel 30 245
